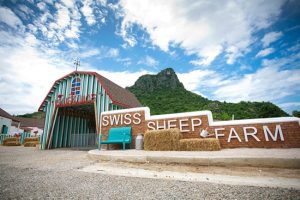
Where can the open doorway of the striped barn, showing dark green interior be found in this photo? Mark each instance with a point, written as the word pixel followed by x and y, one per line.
pixel 74 127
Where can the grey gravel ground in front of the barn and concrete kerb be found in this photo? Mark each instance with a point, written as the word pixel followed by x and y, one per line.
pixel 28 173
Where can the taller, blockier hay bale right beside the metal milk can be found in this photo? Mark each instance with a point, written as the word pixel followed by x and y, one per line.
pixel 162 140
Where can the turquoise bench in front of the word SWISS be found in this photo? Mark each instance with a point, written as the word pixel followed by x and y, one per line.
pixel 119 135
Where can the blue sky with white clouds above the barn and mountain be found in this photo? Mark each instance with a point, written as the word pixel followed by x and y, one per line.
pixel 229 51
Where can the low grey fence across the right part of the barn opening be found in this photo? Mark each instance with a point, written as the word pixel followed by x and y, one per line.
pixel 83 139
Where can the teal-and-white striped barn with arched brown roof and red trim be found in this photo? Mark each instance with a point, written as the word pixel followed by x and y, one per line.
pixel 73 107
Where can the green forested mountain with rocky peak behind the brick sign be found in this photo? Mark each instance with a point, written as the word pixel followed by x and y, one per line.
pixel 163 93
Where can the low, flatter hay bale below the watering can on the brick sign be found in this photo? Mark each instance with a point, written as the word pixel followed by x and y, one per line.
pixel 197 144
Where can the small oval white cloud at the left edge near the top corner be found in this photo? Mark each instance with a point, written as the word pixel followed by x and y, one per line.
pixel 8 17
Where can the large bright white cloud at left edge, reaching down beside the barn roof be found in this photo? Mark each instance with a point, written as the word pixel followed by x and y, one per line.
pixel 26 75
